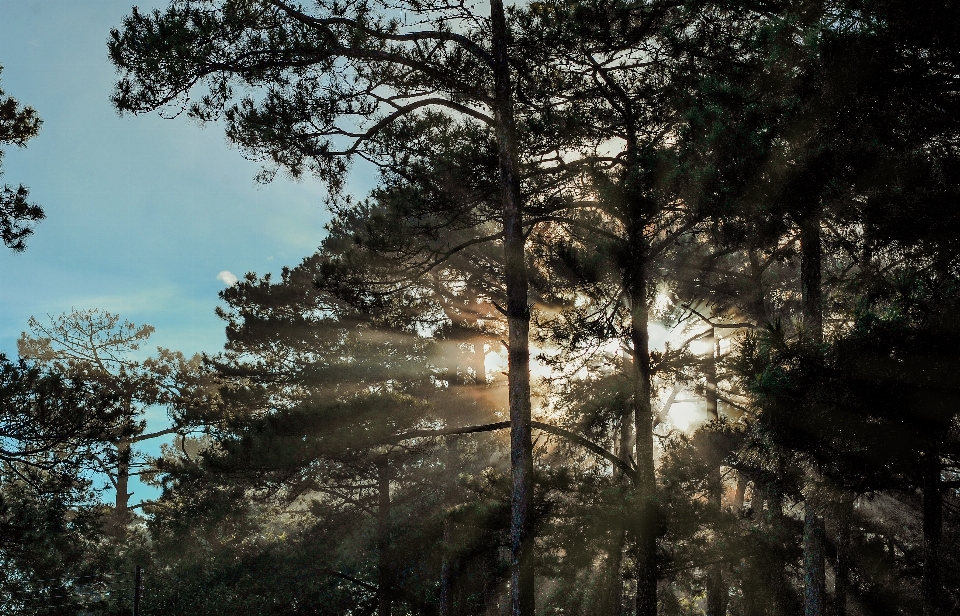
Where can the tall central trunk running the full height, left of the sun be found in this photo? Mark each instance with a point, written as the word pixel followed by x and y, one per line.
pixel 518 324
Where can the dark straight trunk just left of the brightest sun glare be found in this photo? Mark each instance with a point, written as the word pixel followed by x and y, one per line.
pixel 636 287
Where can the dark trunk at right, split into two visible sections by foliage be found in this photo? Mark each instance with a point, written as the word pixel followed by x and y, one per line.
pixel 814 564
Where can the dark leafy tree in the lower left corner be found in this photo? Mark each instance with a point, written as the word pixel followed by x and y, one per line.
pixel 51 427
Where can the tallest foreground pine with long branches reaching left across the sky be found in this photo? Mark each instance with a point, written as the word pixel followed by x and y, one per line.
pixel 353 64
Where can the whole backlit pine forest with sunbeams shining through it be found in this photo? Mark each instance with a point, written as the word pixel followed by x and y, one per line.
pixel 654 309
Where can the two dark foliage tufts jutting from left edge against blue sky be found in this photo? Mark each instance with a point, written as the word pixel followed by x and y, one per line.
pixel 18 125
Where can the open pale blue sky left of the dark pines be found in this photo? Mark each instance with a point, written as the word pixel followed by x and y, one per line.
pixel 142 212
